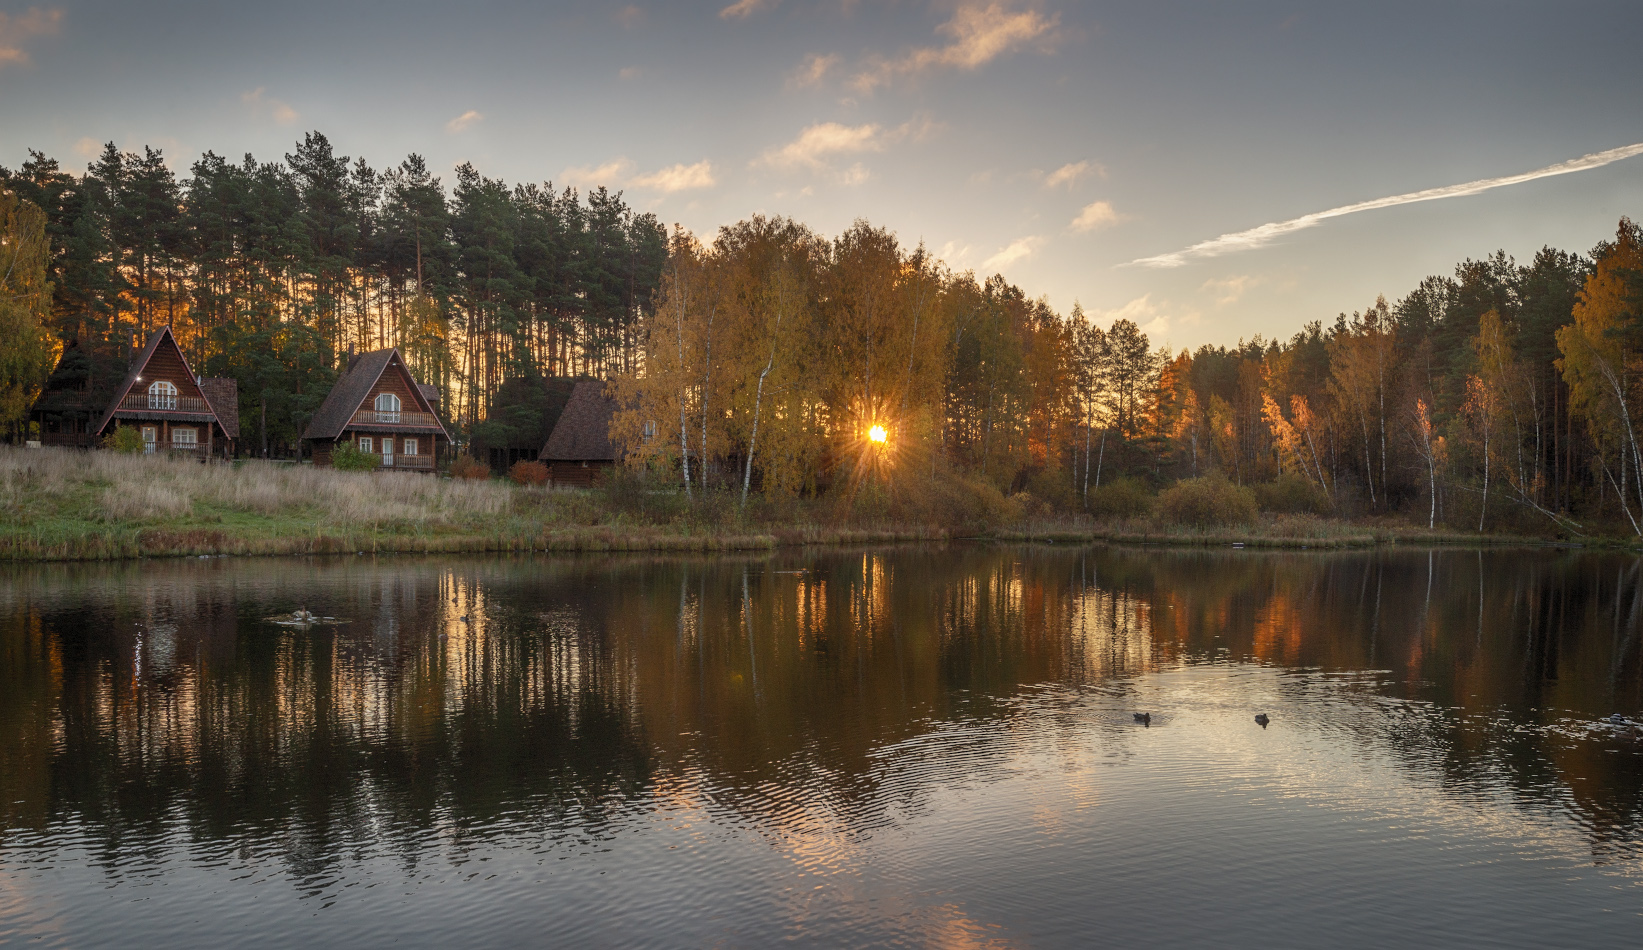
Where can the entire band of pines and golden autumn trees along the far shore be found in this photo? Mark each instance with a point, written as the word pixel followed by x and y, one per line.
pixel 763 359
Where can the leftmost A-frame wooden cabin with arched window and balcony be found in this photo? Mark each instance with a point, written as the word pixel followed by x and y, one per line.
pixel 160 397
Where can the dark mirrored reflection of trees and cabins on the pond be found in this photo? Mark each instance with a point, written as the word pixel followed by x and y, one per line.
pixel 136 694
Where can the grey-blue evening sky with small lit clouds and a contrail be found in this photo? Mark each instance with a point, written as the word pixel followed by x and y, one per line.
pixel 1210 170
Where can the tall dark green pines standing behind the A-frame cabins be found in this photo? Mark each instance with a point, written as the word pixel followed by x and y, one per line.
pixel 272 272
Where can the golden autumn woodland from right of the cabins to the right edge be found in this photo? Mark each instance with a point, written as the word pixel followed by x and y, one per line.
pixel 1504 395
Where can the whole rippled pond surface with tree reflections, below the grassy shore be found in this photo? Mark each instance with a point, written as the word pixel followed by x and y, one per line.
pixel 924 747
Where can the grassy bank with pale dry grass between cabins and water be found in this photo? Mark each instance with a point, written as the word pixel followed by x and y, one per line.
pixel 60 505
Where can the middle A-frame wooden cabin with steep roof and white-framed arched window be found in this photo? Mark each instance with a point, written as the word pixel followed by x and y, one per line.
pixel 379 407
